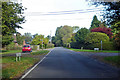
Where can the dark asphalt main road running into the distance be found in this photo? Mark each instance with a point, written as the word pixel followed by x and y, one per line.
pixel 64 63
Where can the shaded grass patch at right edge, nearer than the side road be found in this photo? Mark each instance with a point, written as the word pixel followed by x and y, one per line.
pixel 114 60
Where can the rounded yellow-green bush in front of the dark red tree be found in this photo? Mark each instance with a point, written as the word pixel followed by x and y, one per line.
pixel 96 37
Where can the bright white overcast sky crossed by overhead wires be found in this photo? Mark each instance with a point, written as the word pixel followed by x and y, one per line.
pixel 43 16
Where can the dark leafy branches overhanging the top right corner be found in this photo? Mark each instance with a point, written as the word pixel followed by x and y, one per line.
pixel 111 11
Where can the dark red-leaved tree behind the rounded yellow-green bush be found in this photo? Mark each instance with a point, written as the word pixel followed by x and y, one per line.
pixel 103 30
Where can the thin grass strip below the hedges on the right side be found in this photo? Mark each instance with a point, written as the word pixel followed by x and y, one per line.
pixel 85 50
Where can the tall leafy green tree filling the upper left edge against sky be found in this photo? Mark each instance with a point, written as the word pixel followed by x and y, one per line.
pixel 11 18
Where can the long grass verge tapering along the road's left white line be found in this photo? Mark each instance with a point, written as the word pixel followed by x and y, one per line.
pixel 14 69
